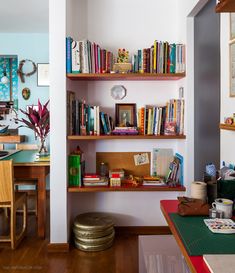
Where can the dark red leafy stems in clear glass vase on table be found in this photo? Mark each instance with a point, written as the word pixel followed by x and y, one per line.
pixel 38 120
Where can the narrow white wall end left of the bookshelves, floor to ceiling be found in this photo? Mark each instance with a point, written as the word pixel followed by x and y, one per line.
pixel 58 171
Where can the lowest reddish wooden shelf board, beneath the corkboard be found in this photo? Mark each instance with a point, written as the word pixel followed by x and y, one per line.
pixel 125 188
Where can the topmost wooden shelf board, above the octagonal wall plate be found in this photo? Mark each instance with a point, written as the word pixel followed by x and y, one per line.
pixel 126 77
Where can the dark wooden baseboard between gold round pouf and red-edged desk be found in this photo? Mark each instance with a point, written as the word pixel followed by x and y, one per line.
pixel 143 230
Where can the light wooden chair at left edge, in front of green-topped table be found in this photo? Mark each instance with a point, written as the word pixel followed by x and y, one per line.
pixel 11 200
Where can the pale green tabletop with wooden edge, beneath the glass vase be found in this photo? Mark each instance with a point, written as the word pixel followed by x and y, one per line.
pixel 26 158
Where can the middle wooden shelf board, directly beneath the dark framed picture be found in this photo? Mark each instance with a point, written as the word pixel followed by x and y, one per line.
pixel 125 137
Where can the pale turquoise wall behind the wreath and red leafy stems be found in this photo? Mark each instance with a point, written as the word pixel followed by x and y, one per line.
pixel 33 46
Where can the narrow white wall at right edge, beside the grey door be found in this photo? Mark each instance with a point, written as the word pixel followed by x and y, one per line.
pixel 227 103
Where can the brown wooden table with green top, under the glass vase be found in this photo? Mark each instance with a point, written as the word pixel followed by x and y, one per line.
pixel 25 166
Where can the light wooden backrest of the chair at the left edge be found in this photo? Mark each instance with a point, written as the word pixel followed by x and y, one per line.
pixel 6 181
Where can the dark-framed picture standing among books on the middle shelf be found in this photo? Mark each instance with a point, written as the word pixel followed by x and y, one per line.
pixel 125 114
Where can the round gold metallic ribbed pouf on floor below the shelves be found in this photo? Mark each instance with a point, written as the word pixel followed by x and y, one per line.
pixel 93 231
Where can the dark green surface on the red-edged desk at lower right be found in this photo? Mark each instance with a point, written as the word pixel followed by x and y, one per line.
pixel 198 239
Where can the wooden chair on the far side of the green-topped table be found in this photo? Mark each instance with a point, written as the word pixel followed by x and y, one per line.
pixel 27 182
